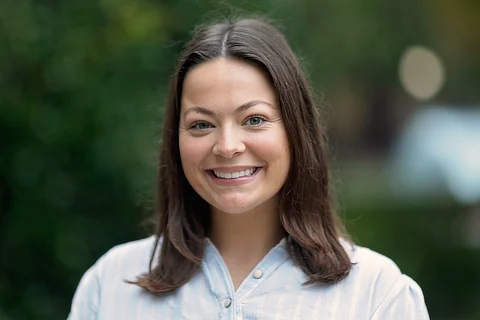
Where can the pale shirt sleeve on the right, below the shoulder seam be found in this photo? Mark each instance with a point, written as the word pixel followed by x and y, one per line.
pixel 403 301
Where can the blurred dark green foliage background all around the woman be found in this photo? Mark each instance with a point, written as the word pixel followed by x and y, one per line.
pixel 83 84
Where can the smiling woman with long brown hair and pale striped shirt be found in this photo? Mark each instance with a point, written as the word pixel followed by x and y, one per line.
pixel 246 225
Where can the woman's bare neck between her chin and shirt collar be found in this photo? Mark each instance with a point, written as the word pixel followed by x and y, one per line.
pixel 244 239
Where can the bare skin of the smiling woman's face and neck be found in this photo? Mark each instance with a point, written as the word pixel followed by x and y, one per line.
pixel 231 121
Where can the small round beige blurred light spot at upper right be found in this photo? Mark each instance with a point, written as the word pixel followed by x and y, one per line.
pixel 421 72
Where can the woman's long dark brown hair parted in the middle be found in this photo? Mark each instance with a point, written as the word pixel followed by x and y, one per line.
pixel 306 209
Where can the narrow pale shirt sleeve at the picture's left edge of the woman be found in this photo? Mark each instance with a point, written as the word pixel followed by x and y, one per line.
pixel 86 298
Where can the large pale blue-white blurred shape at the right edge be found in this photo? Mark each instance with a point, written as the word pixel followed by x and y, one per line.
pixel 439 150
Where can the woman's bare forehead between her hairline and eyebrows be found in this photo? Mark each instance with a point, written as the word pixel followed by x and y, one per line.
pixel 226 82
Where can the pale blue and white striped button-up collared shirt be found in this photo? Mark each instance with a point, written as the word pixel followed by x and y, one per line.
pixel 374 289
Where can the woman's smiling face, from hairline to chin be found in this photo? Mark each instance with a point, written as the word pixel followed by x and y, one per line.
pixel 233 144
